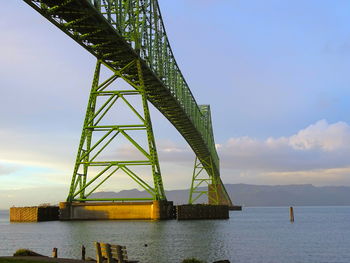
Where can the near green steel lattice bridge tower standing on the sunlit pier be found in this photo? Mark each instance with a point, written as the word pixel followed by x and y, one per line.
pixel 99 131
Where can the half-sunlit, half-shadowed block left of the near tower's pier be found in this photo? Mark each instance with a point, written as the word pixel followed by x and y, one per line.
pixel 33 213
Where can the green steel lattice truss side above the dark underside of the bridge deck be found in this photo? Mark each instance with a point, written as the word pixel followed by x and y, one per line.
pixel 141 25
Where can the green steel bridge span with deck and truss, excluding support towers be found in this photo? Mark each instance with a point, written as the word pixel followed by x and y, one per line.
pixel 119 31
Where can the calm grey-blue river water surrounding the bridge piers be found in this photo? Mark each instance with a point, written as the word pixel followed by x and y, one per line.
pixel 319 234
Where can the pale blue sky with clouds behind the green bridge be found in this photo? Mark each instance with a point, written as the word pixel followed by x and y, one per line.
pixel 276 74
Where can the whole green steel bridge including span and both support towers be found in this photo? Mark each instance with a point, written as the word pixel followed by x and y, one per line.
pixel 128 38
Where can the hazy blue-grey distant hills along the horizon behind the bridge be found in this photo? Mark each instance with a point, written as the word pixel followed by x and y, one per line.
pixel 259 195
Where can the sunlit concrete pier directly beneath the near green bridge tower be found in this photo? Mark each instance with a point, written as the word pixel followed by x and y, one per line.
pixel 155 210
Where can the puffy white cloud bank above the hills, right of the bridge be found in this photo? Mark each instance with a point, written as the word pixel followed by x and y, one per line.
pixel 318 146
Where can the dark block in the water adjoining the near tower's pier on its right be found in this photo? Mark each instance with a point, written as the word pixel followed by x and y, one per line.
pixel 188 212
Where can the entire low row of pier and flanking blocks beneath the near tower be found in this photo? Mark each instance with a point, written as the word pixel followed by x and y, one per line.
pixel 155 210
